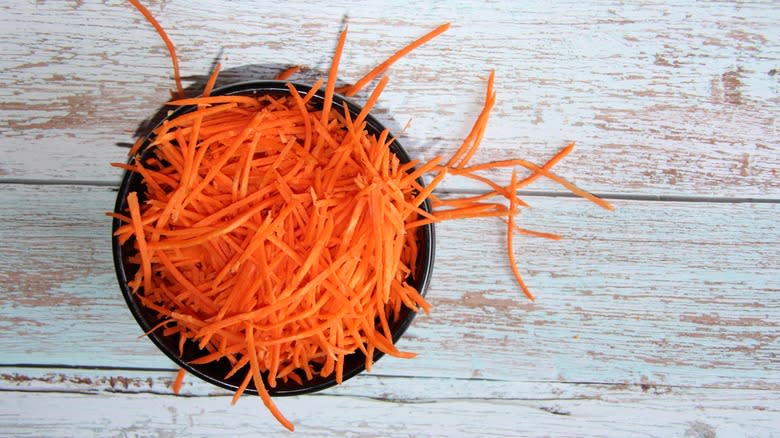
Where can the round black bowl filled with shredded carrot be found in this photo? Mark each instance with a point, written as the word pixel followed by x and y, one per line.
pixel 214 372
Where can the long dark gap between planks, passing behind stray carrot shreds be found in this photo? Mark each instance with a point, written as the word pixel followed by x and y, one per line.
pixel 466 191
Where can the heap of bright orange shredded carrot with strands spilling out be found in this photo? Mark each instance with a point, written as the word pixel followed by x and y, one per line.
pixel 280 235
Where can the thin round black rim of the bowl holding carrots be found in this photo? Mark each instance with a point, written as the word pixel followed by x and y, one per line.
pixel 425 256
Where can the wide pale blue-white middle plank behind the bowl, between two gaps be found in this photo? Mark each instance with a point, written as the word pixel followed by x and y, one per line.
pixel 669 293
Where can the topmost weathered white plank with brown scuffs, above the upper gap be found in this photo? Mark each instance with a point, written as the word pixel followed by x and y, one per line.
pixel 672 97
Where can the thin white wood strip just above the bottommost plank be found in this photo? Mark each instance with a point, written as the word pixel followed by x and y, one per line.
pixel 367 385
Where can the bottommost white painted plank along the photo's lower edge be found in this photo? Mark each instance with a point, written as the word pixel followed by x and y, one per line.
pixel 696 412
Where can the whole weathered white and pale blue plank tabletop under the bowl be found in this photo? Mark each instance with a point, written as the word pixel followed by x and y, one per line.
pixel 660 319
